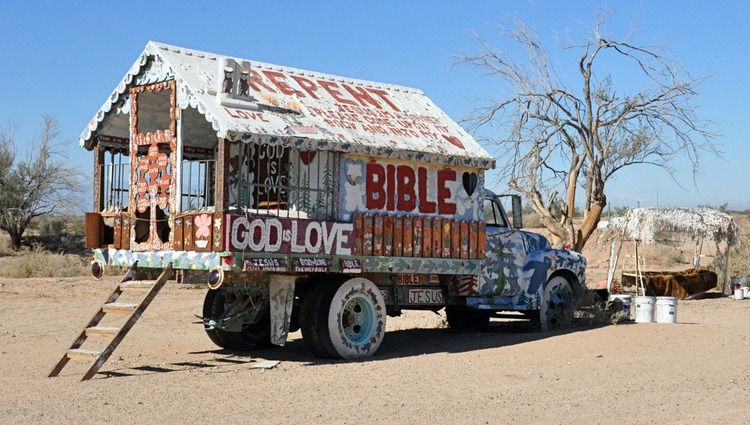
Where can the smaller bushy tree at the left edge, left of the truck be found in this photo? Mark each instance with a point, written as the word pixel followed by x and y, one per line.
pixel 36 186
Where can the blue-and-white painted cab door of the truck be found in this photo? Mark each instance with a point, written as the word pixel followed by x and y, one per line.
pixel 502 273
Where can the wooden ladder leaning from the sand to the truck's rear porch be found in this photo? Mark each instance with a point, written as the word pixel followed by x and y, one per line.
pixel 117 334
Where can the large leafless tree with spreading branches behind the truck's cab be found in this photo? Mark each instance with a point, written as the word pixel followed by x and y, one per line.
pixel 558 137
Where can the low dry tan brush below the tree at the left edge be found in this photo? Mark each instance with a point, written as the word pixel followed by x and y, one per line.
pixel 40 263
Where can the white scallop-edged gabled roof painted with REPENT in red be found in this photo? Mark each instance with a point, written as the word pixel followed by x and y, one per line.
pixel 280 105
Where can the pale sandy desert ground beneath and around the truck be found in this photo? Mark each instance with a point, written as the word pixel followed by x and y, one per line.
pixel 167 370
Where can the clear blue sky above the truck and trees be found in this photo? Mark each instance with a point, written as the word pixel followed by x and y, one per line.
pixel 65 58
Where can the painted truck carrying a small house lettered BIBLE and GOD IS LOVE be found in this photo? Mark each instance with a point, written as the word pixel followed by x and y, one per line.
pixel 308 201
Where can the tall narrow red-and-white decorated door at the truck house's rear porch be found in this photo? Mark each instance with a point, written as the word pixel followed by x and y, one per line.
pixel 152 151
